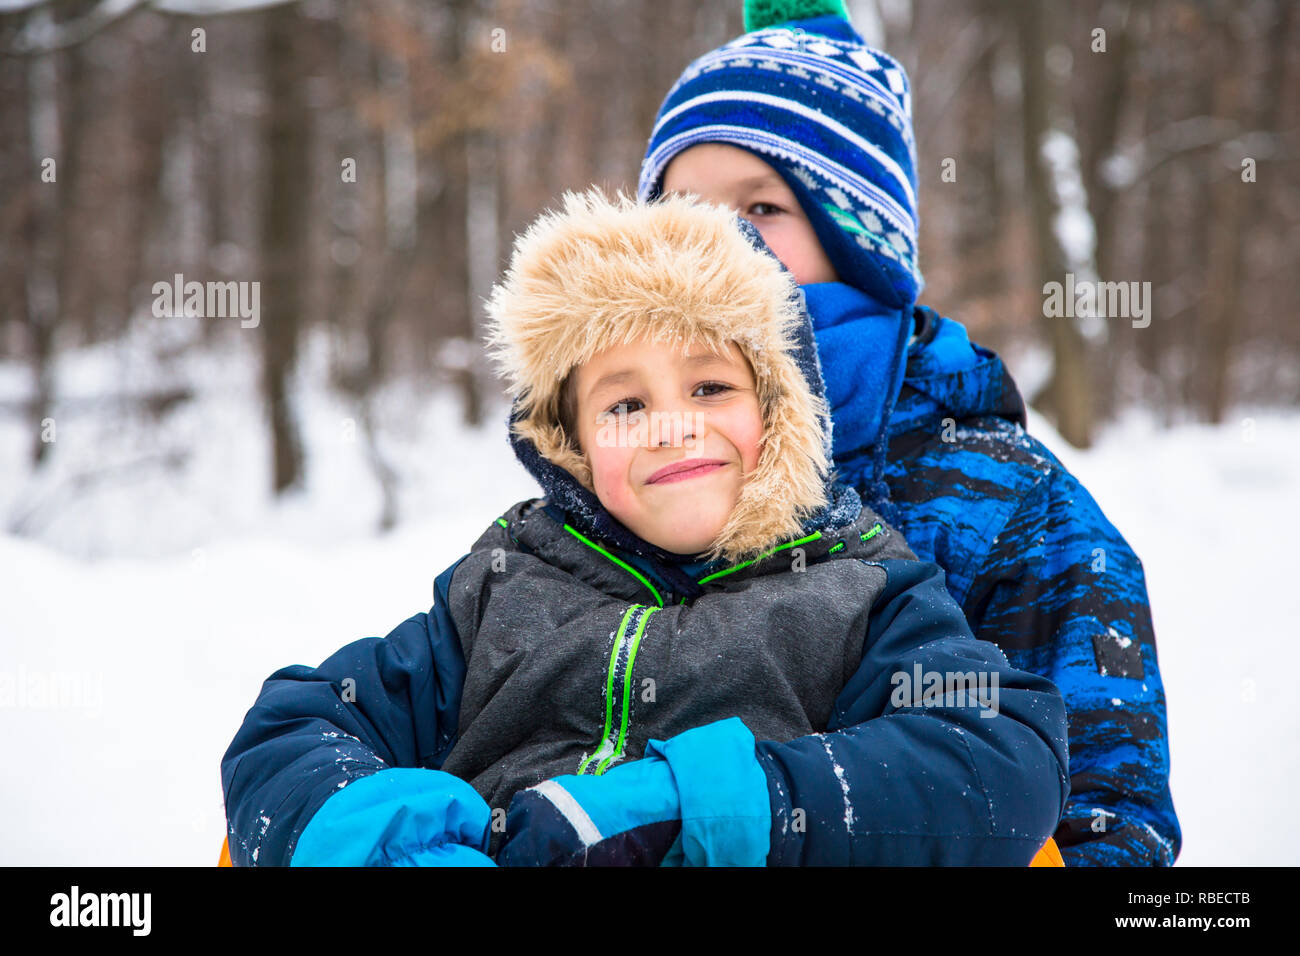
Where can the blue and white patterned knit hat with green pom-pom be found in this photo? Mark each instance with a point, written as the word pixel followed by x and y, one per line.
pixel 805 93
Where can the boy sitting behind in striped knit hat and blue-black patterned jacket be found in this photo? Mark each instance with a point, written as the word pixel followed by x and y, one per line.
pixel 807 132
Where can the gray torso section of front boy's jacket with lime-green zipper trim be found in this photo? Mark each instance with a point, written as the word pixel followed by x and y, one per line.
pixel 575 660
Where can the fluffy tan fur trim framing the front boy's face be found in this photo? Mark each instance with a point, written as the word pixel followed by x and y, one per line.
pixel 605 272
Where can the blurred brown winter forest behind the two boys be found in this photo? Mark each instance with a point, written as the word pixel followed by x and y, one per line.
pixel 369 165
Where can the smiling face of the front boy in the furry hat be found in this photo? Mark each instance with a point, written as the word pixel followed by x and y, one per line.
pixel 670 438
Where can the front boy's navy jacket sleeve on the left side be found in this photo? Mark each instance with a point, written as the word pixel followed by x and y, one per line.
pixel 375 706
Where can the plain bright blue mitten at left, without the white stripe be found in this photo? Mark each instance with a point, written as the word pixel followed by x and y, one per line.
pixel 398 817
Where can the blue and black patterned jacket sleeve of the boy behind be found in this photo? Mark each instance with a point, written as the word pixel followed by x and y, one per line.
pixel 1064 595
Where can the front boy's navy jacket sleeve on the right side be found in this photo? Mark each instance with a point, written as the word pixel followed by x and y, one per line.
pixel 911 777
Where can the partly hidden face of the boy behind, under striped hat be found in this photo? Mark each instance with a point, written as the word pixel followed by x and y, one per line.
pixel 735 178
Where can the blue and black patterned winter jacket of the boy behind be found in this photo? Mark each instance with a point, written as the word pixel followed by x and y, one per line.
pixel 1039 572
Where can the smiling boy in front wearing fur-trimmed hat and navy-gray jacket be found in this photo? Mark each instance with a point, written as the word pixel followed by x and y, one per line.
pixel 643 667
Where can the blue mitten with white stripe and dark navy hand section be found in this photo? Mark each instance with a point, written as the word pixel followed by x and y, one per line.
pixel 697 801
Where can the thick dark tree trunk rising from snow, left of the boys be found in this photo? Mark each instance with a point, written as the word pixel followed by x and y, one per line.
pixel 284 236
